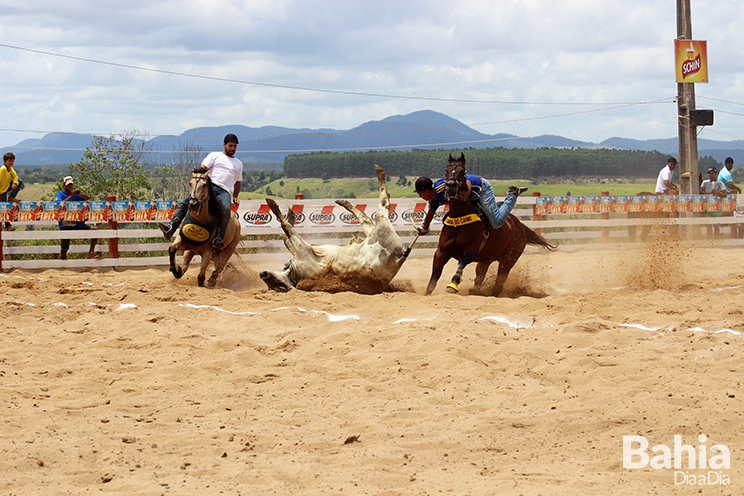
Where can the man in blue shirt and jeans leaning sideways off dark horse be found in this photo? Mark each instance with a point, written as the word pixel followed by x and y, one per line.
pixel 480 191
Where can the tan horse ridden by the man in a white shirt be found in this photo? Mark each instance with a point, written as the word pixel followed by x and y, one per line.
pixel 198 229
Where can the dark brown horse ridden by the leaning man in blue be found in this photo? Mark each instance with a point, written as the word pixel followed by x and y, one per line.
pixel 464 237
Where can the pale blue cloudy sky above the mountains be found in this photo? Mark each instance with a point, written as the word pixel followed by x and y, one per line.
pixel 578 68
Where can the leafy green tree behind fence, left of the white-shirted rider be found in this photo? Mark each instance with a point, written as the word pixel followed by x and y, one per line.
pixel 114 166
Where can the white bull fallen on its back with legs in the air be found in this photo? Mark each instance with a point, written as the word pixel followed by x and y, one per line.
pixel 364 264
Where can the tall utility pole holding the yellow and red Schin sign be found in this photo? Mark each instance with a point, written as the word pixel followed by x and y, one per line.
pixel 687 131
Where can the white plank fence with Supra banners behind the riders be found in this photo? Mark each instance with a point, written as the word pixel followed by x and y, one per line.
pixel 140 244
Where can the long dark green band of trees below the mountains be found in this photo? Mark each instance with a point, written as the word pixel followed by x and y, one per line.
pixel 493 163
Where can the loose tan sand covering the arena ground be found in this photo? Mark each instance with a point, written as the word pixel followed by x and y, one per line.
pixel 132 382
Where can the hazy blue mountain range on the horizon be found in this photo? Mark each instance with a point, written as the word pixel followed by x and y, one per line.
pixel 423 129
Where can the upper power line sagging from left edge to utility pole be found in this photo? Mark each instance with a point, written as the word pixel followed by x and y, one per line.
pixel 302 88
